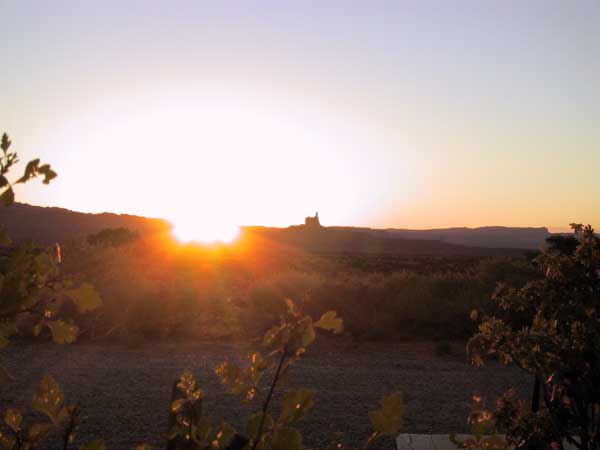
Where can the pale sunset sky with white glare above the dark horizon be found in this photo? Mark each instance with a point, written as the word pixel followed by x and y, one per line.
pixel 385 114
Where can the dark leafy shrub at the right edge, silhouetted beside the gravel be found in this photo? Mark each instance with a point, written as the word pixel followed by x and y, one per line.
pixel 550 328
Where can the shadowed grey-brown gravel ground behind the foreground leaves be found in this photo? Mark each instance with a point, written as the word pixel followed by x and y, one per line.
pixel 124 391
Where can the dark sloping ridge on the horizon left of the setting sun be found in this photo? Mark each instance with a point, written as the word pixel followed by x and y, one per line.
pixel 50 225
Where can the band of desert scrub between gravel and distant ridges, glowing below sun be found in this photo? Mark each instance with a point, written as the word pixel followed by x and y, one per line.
pixel 159 290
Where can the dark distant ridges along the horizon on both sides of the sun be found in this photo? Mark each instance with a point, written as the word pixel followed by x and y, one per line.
pixel 47 225
